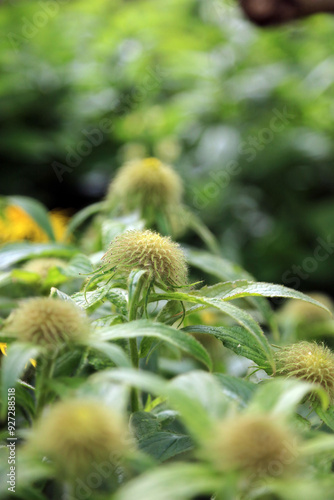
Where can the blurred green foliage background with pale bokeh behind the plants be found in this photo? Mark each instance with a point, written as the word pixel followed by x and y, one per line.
pixel 246 115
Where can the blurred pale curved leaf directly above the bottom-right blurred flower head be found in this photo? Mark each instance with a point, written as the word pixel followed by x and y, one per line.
pixel 281 396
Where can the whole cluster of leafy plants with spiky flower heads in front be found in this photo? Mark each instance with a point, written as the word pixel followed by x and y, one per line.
pixel 144 384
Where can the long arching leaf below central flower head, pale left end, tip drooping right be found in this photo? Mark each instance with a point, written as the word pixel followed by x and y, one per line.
pixel 145 328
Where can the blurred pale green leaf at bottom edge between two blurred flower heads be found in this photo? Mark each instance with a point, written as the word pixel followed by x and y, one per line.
pixel 175 481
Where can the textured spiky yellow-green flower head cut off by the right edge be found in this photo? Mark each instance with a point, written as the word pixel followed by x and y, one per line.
pixel 310 362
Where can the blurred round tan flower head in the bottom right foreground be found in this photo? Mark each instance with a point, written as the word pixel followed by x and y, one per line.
pixel 256 444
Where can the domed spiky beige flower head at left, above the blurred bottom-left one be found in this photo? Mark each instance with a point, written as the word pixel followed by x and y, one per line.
pixel 48 322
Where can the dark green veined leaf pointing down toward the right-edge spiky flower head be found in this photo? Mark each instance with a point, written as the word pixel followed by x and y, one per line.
pixel 236 338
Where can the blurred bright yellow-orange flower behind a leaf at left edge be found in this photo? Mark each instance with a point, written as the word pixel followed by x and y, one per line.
pixel 17 225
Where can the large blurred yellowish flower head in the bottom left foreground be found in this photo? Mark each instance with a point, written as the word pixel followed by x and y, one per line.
pixel 78 434
